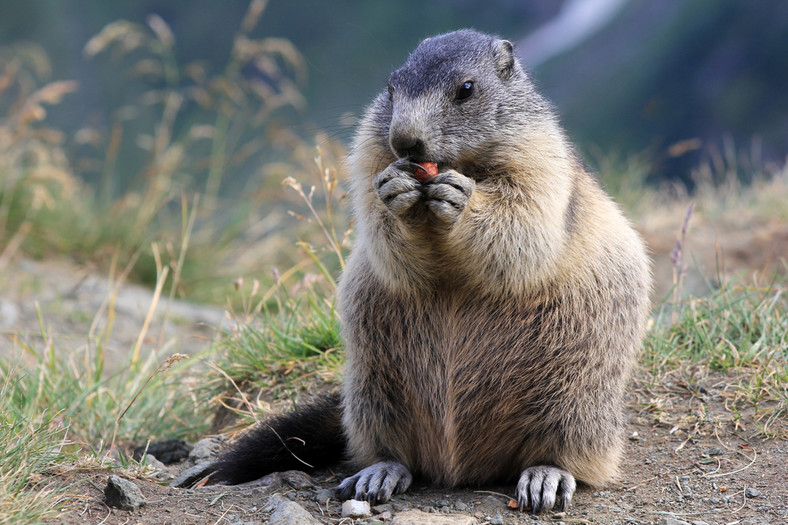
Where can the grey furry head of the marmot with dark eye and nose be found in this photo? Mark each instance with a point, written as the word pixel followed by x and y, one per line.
pixel 458 100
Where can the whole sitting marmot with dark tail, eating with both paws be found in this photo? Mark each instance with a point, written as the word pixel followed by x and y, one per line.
pixel 491 313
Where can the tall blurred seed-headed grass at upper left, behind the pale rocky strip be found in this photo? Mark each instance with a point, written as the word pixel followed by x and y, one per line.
pixel 196 129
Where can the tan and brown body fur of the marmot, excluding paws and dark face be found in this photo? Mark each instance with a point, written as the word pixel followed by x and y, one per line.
pixel 503 340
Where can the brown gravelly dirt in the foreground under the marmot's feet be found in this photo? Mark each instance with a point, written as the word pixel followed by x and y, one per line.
pixel 688 461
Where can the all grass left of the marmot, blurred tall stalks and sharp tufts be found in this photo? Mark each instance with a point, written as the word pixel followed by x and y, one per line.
pixel 171 227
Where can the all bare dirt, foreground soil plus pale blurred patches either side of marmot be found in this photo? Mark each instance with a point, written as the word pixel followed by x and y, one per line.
pixel 688 460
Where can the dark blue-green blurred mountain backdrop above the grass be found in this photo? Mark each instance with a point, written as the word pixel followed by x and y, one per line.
pixel 673 79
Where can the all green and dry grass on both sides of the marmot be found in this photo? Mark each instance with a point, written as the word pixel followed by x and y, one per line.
pixel 171 229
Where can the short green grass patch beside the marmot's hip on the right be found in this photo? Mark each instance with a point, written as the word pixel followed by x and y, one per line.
pixel 735 338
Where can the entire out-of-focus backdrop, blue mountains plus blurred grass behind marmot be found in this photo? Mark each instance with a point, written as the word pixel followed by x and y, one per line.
pixel 129 124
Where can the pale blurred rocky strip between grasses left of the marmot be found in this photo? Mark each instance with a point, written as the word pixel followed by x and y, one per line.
pixel 71 302
